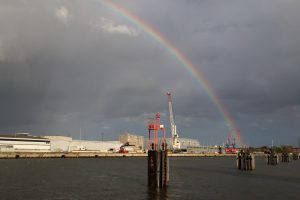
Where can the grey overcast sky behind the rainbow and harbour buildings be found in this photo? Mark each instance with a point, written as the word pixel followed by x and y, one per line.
pixel 66 65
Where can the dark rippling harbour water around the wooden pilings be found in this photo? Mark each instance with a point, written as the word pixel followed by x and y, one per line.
pixel 126 178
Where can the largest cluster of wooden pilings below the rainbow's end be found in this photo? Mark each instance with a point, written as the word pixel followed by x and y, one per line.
pixel 245 160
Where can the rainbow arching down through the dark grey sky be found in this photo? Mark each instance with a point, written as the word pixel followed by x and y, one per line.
pixel 180 57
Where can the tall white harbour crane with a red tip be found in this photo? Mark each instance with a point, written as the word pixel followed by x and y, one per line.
pixel 175 141
